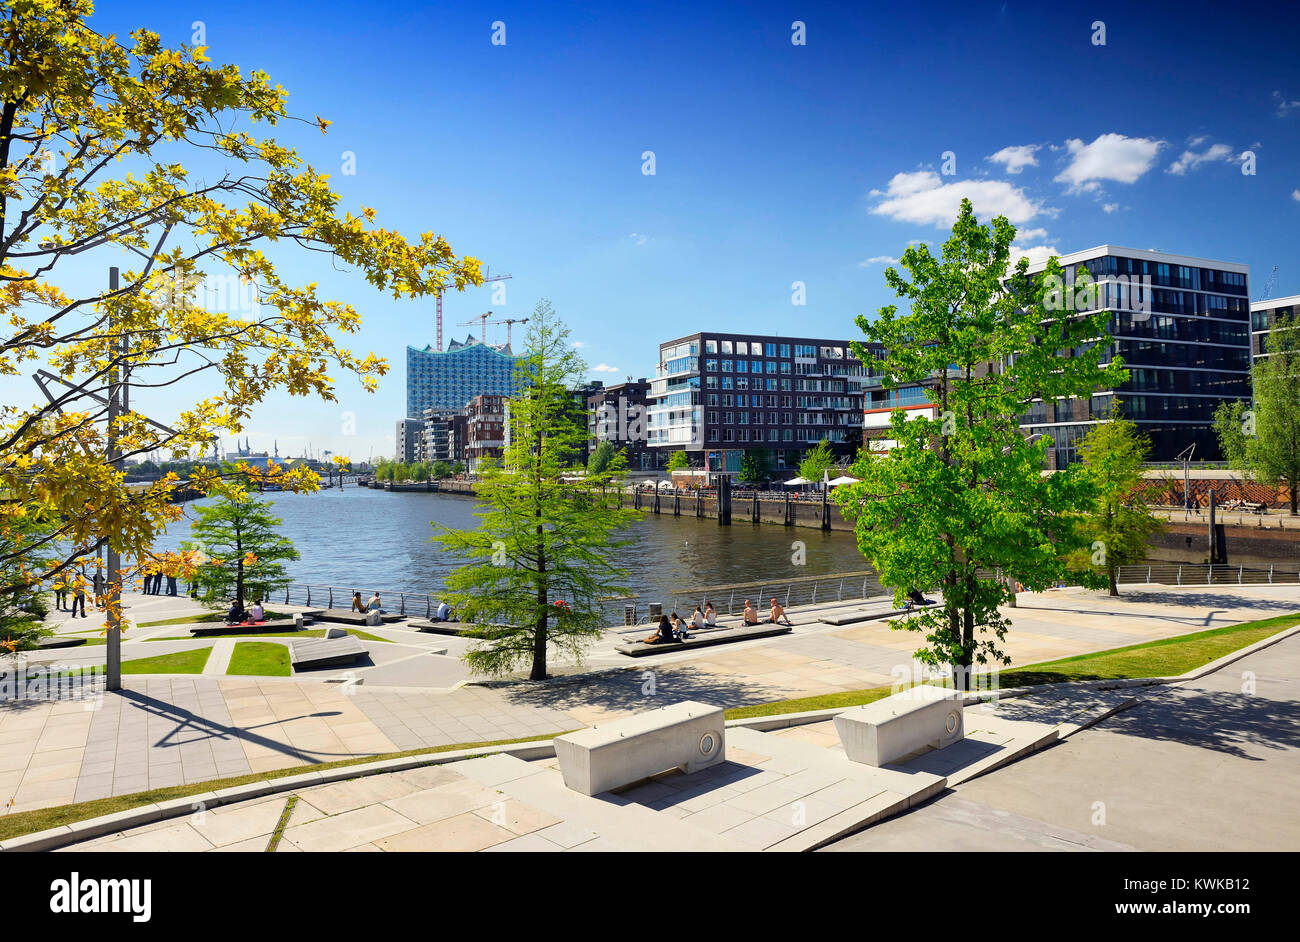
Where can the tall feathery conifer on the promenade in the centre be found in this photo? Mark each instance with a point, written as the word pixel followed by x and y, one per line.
pixel 541 559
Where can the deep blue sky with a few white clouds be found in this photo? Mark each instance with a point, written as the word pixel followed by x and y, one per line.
pixel 774 163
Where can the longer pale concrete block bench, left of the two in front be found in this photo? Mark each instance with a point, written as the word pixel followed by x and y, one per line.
pixel 687 736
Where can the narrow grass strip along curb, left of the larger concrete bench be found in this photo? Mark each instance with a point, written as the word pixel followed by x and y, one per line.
pixel 44 819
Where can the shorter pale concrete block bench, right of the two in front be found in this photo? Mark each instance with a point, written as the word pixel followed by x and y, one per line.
pixel 898 727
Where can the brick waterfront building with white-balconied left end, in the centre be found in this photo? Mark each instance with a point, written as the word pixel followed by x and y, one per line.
pixel 717 396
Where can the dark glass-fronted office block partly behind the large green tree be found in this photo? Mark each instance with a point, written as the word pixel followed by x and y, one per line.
pixel 1184 329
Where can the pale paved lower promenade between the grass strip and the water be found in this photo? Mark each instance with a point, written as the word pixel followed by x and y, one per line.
pixel 167 731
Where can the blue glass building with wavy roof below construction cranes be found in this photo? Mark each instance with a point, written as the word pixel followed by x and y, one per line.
pixel 448 380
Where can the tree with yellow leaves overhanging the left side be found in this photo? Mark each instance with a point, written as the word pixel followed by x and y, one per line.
pixel 93 134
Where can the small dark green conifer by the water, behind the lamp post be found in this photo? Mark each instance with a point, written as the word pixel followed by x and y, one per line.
pixel 245 554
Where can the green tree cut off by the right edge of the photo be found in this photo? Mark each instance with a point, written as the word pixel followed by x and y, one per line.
pixel 1263 441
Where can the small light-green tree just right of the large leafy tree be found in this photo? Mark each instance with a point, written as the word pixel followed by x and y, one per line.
pixel 1119 526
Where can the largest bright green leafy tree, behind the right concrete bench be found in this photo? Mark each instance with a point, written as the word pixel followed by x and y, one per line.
pixel 963 496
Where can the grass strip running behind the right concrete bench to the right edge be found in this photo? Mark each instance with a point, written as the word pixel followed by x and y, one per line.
pixel 1165 658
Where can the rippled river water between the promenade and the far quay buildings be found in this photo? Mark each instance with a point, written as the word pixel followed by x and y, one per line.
pixel 358 539
